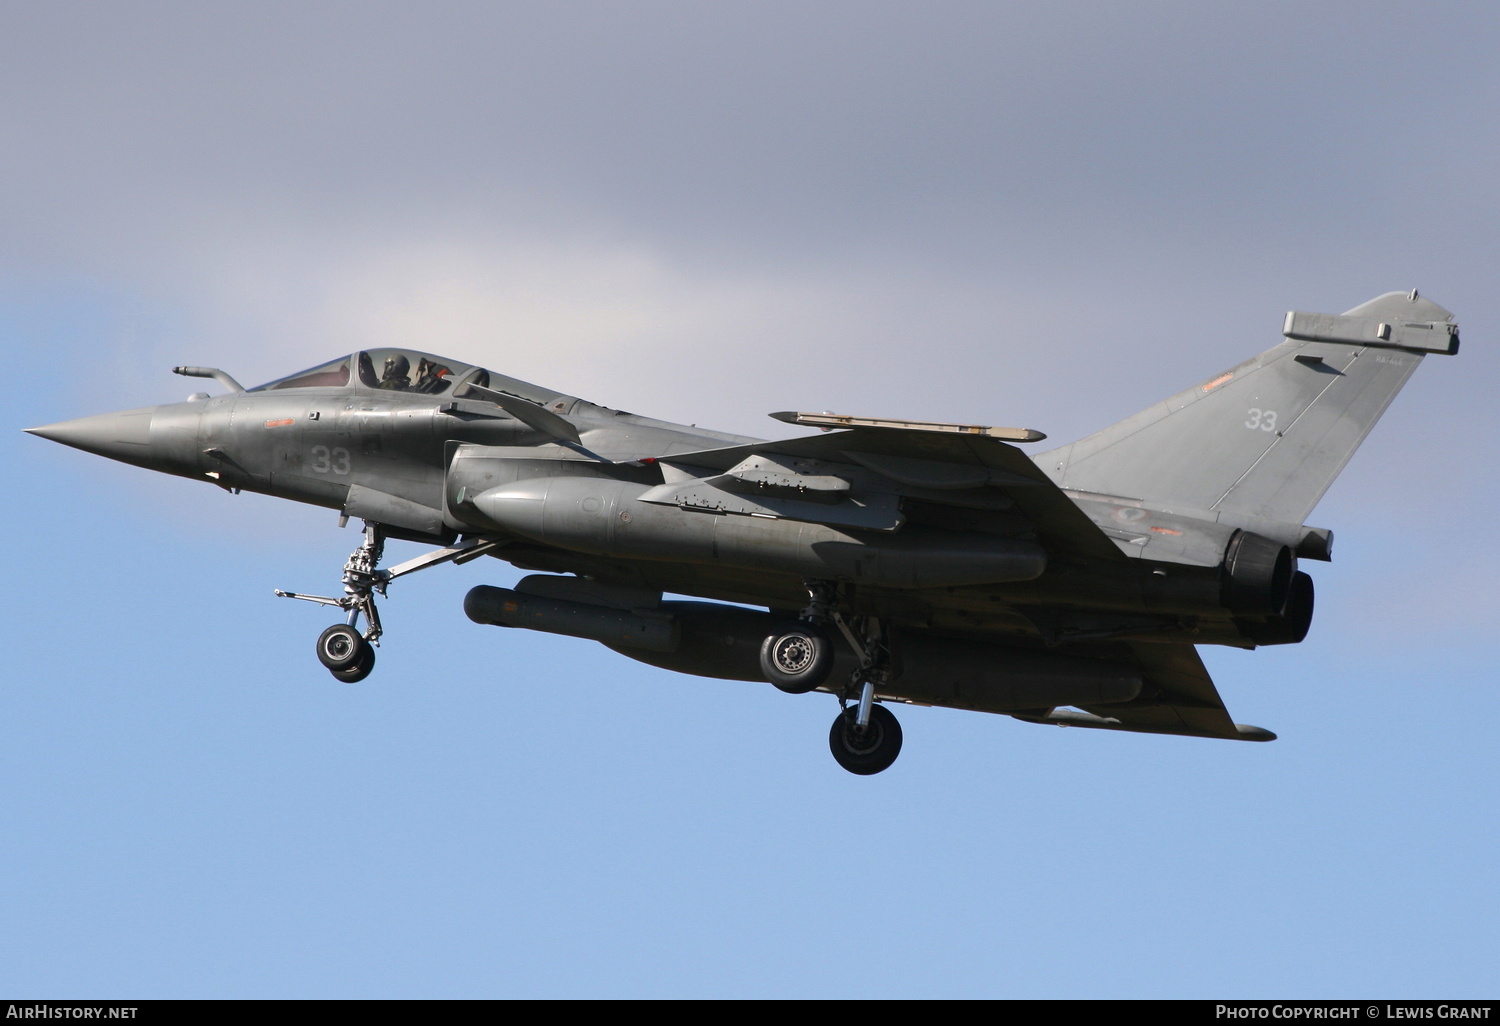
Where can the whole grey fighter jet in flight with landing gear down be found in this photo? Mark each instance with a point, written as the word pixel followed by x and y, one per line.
pixel 895 562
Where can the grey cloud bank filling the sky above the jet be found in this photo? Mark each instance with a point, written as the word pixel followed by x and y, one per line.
pixel 1009 212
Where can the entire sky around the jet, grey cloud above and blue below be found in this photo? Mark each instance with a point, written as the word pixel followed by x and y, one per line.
pixel 1034 215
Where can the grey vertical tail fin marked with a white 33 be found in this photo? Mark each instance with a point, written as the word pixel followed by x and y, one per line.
pixel 1267 439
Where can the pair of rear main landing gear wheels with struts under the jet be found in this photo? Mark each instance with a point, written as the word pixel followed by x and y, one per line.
pixel 799 658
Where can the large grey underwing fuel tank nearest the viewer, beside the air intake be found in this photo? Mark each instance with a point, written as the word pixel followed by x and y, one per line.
pixel 604 518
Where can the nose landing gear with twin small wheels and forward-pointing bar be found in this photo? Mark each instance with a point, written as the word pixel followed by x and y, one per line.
pixel 343 649
